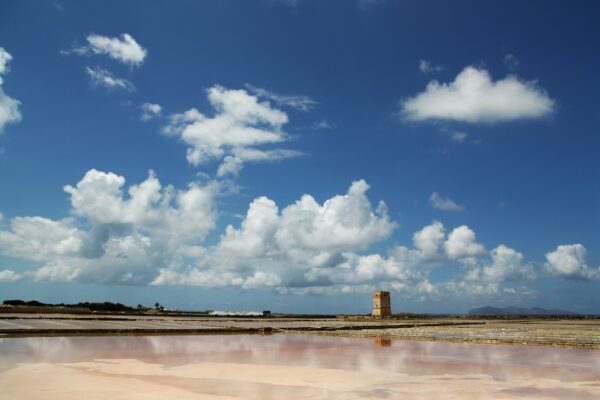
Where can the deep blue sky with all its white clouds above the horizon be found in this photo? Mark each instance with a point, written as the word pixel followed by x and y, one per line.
pixel 298 155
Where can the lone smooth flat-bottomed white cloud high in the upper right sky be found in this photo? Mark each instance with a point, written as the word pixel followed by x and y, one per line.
pixel 474 97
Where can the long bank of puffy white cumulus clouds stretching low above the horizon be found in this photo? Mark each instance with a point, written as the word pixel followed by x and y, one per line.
pixel 149 234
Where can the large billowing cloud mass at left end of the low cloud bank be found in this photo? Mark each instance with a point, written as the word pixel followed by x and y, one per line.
pixel 114 237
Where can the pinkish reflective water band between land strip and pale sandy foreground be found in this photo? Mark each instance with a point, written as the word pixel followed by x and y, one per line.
pixel 329 352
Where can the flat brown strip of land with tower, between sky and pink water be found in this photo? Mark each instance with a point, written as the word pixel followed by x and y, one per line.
pixel 572 333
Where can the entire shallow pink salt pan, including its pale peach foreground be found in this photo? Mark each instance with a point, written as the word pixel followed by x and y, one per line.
pixel 289 366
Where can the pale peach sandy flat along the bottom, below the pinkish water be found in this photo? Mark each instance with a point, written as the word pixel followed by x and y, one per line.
pixel 132 379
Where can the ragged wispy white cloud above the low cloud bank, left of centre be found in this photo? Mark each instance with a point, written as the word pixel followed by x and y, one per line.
pixel 237 134
